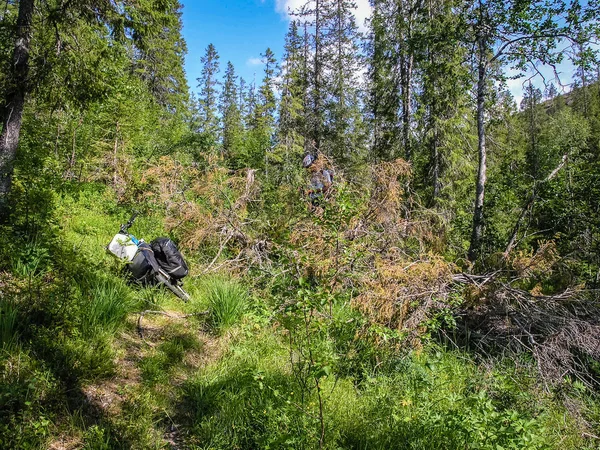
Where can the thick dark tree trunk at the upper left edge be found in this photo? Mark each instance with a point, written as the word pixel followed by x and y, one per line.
pixel 15 97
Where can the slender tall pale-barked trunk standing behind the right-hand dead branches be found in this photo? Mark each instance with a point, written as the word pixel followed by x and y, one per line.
pixel 481 171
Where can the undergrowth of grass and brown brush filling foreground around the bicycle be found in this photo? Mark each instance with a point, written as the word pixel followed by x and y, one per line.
pixel 318 335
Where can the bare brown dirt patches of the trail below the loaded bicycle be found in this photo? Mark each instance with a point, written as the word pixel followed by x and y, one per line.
pixel 144 339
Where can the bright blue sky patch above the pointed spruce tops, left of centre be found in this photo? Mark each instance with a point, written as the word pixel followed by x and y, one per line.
pixel 239 29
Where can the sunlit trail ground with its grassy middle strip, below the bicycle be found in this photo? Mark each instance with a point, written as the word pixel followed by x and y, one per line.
pixel 157 353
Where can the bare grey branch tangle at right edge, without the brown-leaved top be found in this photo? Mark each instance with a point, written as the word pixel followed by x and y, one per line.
pixel 561 331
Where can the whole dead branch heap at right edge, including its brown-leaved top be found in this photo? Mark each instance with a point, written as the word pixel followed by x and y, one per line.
pixel 509 310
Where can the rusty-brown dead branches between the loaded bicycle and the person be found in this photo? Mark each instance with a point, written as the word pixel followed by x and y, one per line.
pixel 208 208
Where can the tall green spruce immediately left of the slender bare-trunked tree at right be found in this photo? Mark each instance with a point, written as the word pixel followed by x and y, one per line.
pixel 442 97
